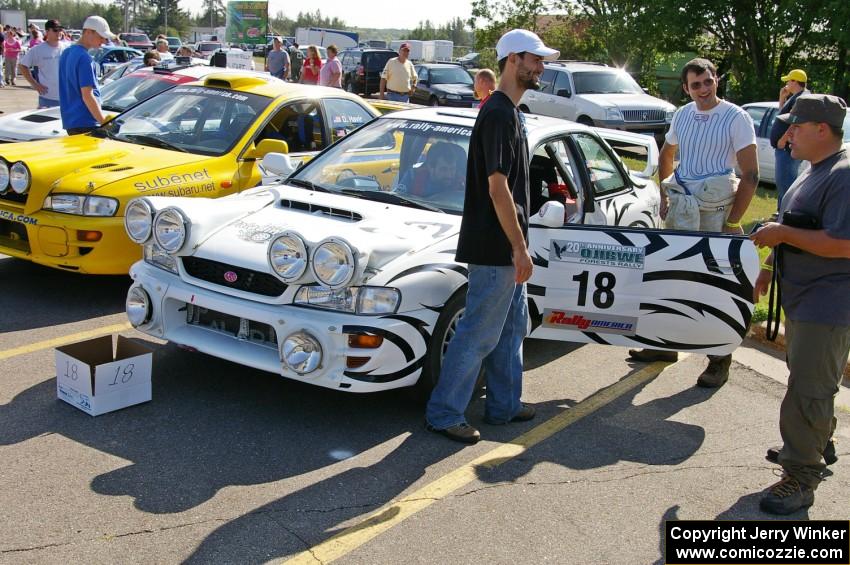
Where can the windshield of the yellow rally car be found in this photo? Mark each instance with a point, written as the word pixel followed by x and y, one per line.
pixel 193 119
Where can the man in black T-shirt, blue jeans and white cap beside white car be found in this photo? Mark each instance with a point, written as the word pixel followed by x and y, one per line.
pixel 493 241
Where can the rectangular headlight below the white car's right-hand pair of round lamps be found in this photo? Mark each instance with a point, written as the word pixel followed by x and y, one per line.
pixel 365 300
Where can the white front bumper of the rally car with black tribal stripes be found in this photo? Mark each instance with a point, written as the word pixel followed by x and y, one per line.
pixel 203 320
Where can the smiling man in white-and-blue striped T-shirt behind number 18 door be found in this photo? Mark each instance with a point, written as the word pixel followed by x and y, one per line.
pixel 702 193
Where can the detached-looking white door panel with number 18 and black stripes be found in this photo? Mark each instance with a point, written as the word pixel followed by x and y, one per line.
pixel 662 289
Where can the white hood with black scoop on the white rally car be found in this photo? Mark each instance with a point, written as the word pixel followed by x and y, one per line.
pixel 379 232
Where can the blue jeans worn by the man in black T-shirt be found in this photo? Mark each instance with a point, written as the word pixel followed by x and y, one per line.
pixel 490 333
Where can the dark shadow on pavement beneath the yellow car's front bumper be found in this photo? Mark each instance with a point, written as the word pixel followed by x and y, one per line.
pixel 32 296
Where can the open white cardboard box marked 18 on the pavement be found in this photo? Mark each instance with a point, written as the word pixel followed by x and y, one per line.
pixel 92 378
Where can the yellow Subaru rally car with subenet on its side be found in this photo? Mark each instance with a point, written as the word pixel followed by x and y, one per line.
pixel 62 200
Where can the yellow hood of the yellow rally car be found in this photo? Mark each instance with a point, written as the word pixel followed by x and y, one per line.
pixel 86 164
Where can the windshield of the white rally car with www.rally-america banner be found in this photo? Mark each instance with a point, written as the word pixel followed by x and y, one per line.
pixel 406 162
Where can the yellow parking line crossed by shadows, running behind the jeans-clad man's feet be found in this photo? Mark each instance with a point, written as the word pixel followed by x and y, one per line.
pixel 357 535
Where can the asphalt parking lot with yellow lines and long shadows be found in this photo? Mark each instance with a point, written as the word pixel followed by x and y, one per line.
pixel 231 465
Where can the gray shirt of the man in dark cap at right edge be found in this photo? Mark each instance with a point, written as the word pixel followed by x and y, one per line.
pixel 817 289
